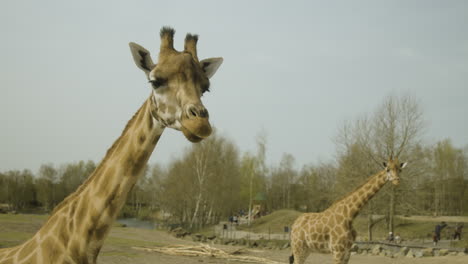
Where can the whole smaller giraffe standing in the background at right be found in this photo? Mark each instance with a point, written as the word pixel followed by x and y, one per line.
pixel 332 230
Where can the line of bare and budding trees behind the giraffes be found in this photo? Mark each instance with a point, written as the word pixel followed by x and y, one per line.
pixel 213 179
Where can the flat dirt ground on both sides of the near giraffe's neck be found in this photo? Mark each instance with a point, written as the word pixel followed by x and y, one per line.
pixel 14 229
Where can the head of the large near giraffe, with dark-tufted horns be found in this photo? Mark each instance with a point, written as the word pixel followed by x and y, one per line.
pixel 178 81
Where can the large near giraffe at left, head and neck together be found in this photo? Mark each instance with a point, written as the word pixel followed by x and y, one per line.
pixel 76 229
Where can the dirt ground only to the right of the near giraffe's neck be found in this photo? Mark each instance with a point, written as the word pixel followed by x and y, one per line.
pixel 115 252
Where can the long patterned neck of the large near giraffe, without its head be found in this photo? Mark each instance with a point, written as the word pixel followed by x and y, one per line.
pixel 77 227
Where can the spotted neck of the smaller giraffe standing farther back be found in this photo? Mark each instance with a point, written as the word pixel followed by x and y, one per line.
pixel 353 203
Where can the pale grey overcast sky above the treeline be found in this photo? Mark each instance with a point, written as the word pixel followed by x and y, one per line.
pixel 294 69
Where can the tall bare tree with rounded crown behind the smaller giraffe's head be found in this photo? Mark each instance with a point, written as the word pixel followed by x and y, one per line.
pixel 391 131
